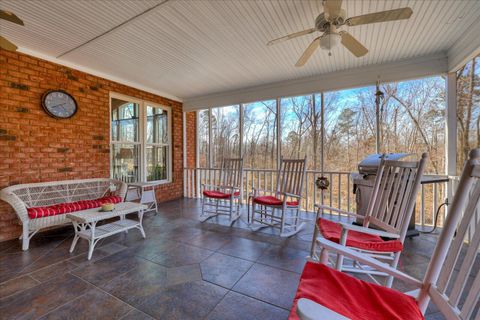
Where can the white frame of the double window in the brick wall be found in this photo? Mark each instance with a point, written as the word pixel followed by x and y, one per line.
pixel 142 124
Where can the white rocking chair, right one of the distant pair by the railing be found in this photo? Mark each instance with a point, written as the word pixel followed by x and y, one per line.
pixel 286 197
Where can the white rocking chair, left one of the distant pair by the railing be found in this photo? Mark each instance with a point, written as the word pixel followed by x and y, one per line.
pixel 220 199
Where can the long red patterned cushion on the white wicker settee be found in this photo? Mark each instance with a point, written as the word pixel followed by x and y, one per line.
pixel 62 208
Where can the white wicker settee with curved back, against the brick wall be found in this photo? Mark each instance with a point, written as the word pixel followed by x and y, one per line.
pixel 24 196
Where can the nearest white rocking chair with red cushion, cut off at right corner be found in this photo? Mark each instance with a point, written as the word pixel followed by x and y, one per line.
pixel 451 282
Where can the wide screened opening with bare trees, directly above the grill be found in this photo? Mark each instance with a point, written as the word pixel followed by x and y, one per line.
pixel 413 119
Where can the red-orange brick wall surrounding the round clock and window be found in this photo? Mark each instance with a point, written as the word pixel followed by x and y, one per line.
pixel 35 147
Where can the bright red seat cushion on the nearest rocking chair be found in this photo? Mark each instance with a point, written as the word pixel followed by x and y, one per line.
pixel 351 297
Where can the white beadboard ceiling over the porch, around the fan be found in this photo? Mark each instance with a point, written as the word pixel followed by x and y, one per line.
pixel 195 48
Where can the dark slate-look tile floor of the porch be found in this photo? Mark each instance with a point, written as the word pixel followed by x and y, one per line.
pixel 183 270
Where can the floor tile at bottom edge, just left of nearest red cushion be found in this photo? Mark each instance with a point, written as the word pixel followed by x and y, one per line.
pixel 236 306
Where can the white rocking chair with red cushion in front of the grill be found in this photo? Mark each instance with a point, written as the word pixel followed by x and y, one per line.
pixel 389 211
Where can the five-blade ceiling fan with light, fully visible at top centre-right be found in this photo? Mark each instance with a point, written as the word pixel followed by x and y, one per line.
pixel 331 19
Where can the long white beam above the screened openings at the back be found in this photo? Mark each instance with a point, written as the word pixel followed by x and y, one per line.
pixel 364 76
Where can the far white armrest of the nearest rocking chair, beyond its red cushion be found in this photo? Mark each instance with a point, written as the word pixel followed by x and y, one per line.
pixel 367 260
